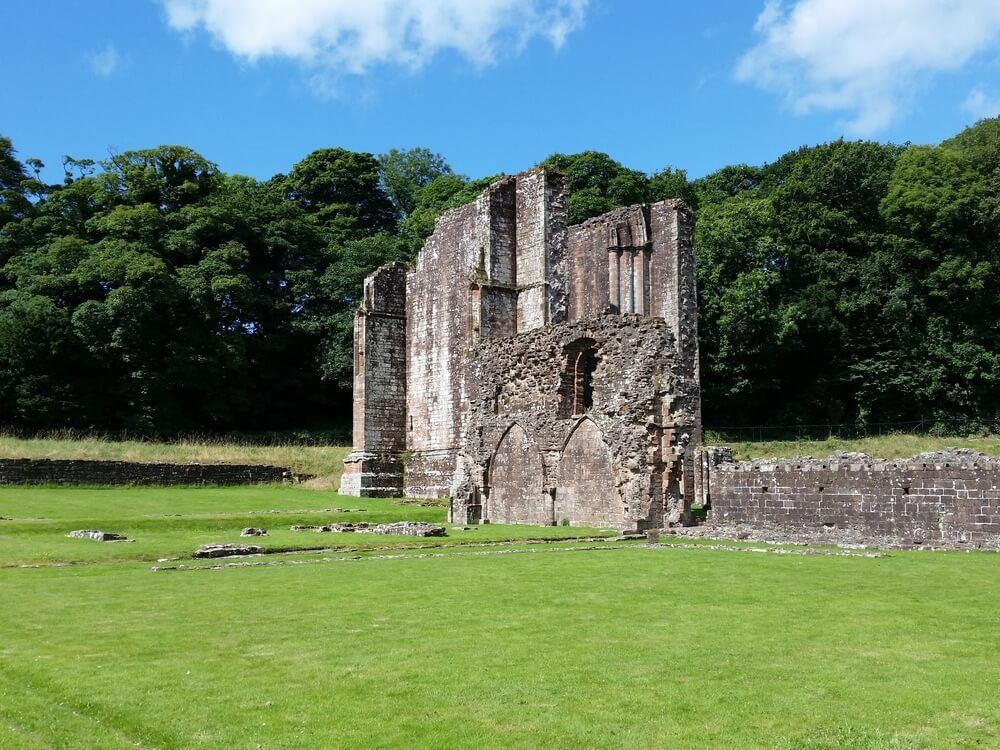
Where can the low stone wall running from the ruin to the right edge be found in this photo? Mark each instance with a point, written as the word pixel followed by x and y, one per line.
pixel 949 499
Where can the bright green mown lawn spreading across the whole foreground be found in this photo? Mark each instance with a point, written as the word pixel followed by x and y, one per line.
pixel 478 646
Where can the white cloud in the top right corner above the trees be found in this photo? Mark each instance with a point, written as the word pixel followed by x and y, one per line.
pixel 866 58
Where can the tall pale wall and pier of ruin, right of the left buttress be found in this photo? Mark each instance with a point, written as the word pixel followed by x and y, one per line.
pixel 487 271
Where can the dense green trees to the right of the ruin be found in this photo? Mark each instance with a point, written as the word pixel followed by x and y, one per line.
pixel 852 283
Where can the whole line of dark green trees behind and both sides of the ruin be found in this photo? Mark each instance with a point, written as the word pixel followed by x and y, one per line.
pixel 851 282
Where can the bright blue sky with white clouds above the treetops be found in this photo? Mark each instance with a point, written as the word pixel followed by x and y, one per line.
pixel 493 85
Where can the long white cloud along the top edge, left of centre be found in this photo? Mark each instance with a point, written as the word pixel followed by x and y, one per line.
pixel 351 36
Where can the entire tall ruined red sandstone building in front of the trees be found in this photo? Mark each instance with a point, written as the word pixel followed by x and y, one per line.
pixel 534 372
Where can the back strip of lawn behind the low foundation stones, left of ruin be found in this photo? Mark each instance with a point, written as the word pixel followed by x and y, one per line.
pixel 168 522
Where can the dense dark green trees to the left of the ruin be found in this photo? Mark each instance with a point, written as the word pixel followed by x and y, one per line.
pixel 159 295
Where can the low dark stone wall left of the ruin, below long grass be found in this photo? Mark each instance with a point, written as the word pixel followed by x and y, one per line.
pixel 47 471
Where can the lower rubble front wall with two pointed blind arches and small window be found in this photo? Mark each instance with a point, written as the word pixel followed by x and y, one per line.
pixel 614 463
